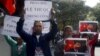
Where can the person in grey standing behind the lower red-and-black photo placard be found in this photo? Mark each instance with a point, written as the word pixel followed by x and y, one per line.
pixel 59 44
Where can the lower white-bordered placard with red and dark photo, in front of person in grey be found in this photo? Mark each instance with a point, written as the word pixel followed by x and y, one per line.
pixel 75 46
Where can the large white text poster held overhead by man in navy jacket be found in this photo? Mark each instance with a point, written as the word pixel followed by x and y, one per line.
pixel 38 10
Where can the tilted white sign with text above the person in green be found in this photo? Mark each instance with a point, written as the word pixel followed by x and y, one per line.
pixel 10 25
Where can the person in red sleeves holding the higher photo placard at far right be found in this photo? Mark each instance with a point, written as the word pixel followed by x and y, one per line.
pixel 91 43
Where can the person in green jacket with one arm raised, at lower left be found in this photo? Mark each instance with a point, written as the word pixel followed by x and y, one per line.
pixel 18 47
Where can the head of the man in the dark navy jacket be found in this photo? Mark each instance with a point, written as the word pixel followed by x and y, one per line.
pixel 38 26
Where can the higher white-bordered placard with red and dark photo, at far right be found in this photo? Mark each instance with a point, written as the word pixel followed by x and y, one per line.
pixel 88 26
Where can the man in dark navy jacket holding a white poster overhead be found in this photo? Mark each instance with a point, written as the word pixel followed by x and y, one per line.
pixel 37 41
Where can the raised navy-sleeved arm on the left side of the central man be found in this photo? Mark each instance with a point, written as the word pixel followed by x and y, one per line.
pixel 25 36
